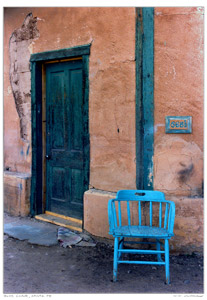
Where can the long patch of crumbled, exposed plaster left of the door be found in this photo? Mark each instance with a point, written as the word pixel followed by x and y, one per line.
pixel 19 51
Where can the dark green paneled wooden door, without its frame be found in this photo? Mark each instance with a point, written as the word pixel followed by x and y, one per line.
pixel 64 138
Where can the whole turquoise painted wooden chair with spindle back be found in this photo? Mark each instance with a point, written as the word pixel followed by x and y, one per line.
pixel 141 214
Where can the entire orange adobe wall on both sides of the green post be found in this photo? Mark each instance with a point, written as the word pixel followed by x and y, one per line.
pixel 178 90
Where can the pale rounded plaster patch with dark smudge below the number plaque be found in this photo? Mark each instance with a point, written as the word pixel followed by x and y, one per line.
pixel 178 167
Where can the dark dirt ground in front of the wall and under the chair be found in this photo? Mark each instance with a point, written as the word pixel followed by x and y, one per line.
pixel 33 269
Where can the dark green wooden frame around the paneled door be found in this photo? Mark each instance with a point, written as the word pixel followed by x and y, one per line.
pixel 37 62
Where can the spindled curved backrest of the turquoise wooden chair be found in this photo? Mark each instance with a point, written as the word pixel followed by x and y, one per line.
pixel 141 208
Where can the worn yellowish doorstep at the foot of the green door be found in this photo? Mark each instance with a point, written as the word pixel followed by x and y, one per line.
pixel 64 221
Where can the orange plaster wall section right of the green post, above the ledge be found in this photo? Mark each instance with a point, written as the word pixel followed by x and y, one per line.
pixel 179 91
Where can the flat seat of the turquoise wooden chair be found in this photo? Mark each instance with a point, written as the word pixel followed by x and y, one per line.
pixel 141 231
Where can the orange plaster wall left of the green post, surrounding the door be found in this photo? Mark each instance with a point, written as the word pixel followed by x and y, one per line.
pixel 111 31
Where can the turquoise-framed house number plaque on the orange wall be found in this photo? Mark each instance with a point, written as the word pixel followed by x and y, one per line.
pixel 178 124
